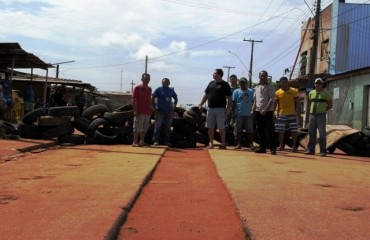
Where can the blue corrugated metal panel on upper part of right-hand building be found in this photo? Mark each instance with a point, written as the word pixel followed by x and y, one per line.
pixel 353 37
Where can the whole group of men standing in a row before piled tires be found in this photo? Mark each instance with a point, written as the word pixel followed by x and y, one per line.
pixel 245 108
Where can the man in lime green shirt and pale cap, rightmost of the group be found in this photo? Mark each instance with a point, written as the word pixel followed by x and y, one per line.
pixel 320 102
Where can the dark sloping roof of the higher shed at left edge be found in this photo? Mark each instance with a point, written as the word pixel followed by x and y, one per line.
pixel 10 52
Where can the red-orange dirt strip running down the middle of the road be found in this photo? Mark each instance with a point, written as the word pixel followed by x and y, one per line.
pixel 185 199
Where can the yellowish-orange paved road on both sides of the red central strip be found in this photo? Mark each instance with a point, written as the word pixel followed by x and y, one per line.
pixel 84 192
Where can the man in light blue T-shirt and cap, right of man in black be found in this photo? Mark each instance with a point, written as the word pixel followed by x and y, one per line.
pixel 242 108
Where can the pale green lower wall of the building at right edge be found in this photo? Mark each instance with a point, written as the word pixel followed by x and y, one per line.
pixel 350 101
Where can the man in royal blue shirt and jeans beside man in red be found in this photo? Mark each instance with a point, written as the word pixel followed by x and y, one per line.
pixel 164 110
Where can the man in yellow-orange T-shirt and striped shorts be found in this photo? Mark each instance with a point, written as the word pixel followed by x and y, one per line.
pixel 287 107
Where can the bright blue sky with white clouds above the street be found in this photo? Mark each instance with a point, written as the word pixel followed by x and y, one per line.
pixel 106 42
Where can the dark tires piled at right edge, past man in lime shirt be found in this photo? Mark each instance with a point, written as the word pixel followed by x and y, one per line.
pixel 356 144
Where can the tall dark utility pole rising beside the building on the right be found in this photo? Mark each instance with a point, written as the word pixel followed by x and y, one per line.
pixel 313 58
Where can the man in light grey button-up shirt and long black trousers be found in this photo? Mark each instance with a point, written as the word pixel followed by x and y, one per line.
pixel 263 112
